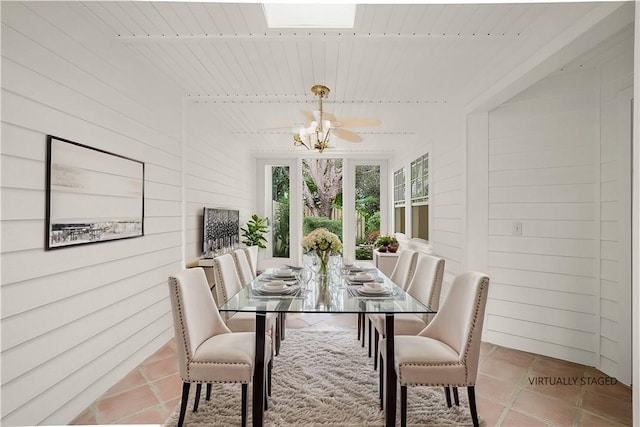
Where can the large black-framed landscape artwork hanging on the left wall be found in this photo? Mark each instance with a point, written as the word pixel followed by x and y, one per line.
pixel 92 195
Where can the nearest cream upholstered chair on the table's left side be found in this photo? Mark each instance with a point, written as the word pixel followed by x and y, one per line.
pixel 208 352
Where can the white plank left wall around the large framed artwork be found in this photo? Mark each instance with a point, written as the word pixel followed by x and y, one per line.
pixel 76 320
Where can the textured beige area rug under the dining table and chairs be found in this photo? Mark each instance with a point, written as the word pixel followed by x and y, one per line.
pixel 323 378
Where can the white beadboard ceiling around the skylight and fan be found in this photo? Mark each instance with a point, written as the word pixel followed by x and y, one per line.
pixel 407 65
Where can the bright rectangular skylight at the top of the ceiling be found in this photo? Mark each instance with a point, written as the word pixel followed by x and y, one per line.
pixel 281 15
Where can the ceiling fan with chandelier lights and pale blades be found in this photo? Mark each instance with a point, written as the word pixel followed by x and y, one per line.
pixel 321 124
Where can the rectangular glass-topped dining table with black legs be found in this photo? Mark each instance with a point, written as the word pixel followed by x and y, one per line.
pixel 337 292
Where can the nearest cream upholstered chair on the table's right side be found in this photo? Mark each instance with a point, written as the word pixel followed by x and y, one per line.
pixel 446 352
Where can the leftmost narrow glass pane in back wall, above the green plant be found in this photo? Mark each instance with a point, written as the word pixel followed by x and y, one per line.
pixel 280 211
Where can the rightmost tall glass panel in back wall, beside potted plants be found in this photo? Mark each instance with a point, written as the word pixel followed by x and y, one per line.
pixel 367 207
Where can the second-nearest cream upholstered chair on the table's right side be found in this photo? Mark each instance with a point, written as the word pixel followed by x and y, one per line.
pixel 425 286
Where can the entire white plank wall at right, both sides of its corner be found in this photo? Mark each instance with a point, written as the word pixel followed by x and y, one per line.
pixel 554 166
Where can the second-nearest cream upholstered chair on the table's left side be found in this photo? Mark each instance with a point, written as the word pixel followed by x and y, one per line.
pixel 229 284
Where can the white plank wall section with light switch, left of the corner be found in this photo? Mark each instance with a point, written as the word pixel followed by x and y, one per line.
pixel 543 174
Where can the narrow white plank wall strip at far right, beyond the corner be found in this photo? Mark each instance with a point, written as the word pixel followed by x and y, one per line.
pixel 616 75
